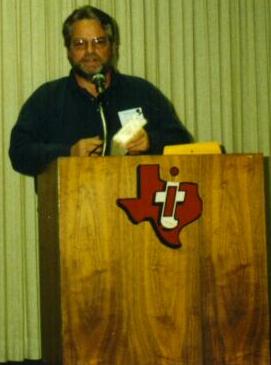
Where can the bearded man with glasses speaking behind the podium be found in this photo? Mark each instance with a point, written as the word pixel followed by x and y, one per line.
pixel 77 116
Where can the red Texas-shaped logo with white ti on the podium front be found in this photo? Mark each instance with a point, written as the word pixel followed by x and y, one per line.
pixel 168 205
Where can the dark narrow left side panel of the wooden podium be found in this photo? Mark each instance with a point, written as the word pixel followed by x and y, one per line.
pixel 50 281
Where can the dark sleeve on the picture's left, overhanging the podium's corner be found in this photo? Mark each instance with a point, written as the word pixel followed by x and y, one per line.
pixel 29 150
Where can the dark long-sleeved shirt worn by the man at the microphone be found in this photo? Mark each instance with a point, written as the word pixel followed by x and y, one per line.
pixel 59 113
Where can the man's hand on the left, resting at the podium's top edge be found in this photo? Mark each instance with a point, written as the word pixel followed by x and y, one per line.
pixel 87 147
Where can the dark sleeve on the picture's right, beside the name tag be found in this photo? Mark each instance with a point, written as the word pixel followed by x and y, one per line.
pixel 164 127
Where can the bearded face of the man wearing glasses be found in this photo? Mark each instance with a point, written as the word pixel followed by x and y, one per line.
pixel 90 50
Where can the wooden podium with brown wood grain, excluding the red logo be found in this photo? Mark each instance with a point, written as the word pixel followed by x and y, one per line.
pixel 113 294
